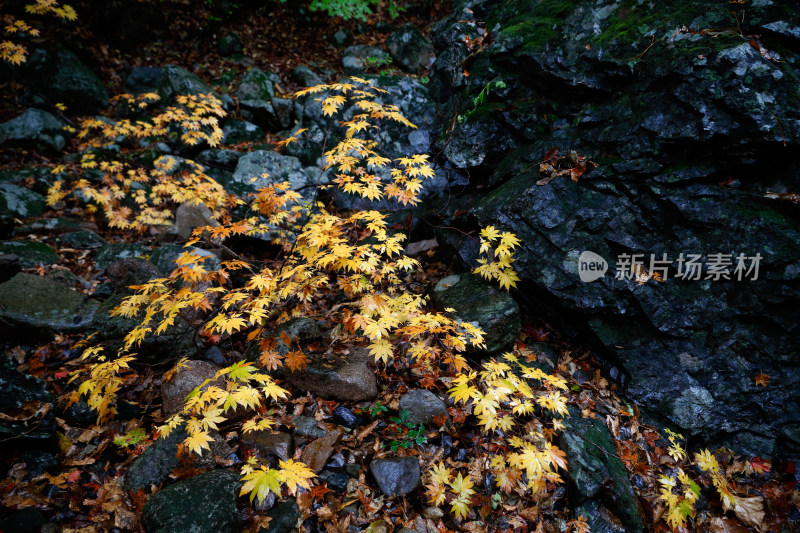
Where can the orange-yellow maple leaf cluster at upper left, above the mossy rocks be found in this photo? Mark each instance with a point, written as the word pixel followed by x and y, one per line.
pixel 135 197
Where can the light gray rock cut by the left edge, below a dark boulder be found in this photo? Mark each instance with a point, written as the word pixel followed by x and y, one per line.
pixel 34 129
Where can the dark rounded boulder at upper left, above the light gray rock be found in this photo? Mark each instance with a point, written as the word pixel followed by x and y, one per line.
pixel 59 75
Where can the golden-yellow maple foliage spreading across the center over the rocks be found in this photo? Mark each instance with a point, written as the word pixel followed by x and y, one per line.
pixel 354 256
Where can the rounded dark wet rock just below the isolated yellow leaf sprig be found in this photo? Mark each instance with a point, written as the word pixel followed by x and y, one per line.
pixel 486 305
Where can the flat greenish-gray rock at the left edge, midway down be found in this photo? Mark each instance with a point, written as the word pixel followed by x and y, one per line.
pixel 41 307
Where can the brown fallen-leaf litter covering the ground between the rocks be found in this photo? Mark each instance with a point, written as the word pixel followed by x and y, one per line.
pixel 81 492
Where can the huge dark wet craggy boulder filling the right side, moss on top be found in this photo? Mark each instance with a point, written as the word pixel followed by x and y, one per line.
pixel 681 125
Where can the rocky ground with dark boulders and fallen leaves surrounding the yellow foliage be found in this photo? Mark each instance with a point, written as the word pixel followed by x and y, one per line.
pixel 678 147
